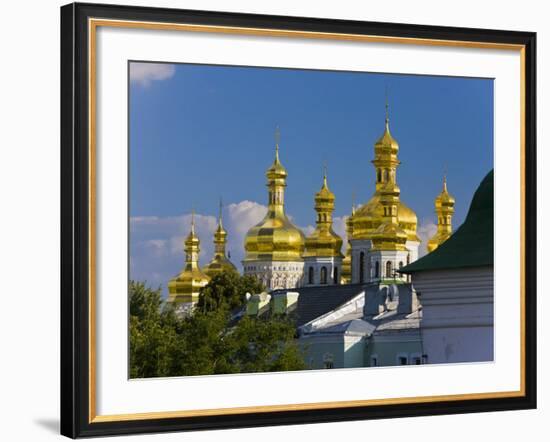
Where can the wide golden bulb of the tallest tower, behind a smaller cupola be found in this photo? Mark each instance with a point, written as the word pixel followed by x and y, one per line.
pixel 368 217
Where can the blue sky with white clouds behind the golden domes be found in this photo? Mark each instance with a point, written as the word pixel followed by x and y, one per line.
pixel 198 133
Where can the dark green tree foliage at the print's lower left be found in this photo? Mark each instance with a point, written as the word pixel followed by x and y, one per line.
pixel 210 341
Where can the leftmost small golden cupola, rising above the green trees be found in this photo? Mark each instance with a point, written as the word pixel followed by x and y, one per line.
pixel 186 286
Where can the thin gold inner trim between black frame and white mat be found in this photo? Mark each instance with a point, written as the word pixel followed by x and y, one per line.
pixel 93 24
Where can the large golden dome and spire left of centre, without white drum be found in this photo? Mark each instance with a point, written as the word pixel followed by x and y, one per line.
pixel 275 238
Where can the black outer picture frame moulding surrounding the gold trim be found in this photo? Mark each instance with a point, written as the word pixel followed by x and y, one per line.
pixel 75 220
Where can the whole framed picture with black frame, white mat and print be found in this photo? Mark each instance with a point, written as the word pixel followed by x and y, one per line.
pixel 274 220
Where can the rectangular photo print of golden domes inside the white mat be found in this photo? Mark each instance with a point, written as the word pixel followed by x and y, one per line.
pixel 295 219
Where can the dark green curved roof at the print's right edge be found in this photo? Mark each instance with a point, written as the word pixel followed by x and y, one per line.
pixel 472 243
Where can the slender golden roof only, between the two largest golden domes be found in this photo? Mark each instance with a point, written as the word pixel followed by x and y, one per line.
pixel 324 242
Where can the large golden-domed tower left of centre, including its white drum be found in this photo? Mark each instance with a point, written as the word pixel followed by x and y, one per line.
pixel 275 245
